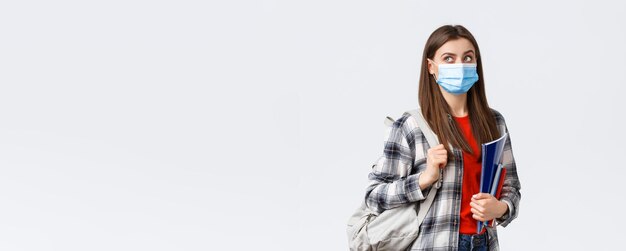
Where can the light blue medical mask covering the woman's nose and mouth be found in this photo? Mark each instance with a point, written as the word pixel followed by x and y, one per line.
pixel 456 78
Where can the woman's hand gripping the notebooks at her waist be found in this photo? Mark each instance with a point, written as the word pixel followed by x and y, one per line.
pixel 485 207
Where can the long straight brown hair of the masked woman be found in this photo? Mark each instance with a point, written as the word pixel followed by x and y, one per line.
pixel 435 108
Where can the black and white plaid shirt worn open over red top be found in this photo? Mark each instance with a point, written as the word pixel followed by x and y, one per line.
pixel 394 182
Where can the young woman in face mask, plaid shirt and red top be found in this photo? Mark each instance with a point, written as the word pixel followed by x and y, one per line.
pixel 453 101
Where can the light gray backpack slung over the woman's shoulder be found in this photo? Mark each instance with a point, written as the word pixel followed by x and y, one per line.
pixel 397 228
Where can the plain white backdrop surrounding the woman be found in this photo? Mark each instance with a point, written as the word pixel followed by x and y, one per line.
pixel 252 125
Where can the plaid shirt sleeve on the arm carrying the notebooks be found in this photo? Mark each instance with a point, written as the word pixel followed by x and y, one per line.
pixel 511 188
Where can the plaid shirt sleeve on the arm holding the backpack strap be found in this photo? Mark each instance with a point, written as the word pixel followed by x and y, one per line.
pixel 391 182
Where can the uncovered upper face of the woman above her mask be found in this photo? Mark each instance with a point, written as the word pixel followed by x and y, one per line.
pixel 458 51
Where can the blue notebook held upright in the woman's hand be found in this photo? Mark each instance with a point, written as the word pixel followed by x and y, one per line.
pixel 491 168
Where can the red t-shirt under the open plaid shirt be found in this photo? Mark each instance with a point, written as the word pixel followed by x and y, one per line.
pixel 472 165
